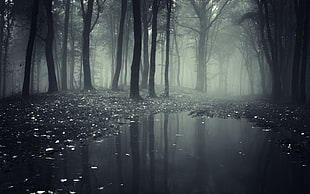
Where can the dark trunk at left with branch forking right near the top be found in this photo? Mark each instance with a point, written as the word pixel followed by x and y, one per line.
pixel 87 18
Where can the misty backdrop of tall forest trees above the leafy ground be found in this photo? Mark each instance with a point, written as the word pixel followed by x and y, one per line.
pixel 223 48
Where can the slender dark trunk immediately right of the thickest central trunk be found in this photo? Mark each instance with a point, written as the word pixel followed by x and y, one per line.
pixel 153 50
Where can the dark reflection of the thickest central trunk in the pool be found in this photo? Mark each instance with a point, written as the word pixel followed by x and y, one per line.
pixel 134 144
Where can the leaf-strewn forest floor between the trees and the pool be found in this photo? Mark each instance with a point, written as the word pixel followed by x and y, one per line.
pixel 41 122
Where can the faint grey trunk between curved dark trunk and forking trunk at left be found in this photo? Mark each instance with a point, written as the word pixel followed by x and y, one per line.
pixel 65 47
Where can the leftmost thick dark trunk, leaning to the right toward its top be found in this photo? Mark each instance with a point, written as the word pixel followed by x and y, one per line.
pixel 32 34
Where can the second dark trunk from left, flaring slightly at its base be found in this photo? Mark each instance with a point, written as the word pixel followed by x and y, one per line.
pixel 52 82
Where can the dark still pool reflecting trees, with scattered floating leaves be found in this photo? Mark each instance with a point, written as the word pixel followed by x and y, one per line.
pixel 167 153
